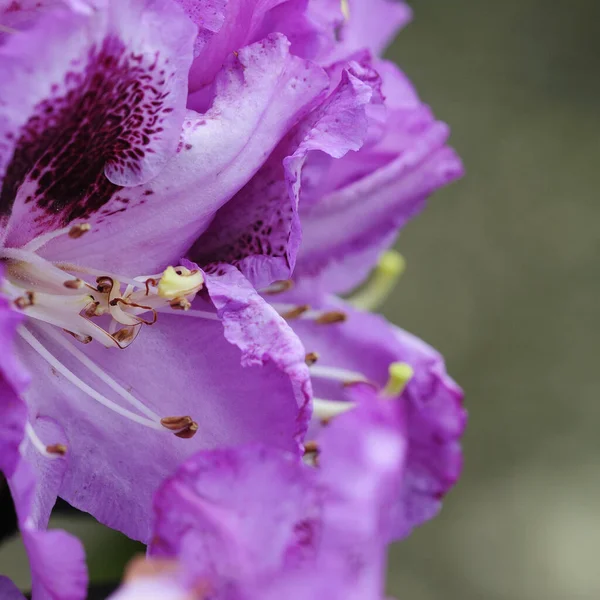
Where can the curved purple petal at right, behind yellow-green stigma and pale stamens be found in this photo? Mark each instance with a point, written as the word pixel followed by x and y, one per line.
pixel 432 403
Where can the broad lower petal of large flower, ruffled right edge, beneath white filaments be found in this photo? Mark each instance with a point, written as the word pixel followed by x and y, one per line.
pixel 183 365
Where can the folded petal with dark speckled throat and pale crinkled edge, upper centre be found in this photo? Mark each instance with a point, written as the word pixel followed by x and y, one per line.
pixel 259 230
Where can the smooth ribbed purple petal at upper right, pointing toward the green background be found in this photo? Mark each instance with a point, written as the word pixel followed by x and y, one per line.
pixel 354 212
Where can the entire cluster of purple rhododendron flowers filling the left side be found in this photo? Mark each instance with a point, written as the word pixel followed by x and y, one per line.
pixel 190 192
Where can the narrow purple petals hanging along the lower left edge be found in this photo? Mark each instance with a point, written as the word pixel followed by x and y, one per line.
pixel 56 558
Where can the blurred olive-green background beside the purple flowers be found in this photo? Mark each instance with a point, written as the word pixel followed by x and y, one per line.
pixel 502 277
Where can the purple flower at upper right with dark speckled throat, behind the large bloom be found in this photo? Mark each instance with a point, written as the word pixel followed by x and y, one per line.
pixel 346 182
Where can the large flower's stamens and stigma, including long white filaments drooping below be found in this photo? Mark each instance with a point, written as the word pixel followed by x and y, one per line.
pixel 92 305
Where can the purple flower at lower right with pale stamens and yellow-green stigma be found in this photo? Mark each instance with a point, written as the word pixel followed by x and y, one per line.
pixel 359 357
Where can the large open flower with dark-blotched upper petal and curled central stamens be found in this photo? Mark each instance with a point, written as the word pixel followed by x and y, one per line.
pixel 106 181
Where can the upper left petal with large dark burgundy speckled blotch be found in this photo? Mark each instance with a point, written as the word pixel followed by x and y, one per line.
pixel 89 103
